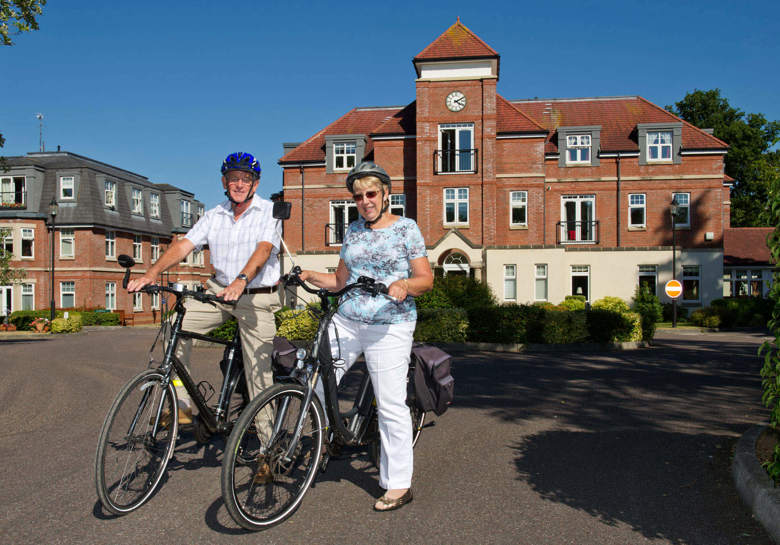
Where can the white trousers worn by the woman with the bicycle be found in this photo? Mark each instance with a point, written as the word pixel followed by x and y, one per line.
pixel 386 348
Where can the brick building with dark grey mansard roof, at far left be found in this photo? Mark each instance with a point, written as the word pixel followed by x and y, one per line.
pixel 102 211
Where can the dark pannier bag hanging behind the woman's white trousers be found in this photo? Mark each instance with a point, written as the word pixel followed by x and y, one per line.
pixel 434 387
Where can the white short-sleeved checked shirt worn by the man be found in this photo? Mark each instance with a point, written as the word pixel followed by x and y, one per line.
pixel 232 242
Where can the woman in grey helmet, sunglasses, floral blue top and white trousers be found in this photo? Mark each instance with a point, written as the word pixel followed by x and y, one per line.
pixel 391 250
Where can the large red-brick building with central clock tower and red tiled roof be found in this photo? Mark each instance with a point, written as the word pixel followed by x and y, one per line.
pixel 540 198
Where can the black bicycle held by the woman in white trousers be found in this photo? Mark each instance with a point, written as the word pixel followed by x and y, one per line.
pixel 275 448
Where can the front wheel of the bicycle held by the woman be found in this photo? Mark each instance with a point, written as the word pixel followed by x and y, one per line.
pixel 266 471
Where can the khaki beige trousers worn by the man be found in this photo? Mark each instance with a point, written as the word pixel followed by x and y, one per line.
pixel 255 316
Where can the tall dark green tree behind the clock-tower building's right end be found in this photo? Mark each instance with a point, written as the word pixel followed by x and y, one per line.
pixel 751 161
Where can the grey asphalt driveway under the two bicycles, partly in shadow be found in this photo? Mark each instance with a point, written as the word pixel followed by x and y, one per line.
pixel 622 448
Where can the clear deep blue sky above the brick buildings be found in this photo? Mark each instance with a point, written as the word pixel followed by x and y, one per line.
pixel 167 89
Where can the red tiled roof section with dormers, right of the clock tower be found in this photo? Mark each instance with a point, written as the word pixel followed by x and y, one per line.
pixel 618 117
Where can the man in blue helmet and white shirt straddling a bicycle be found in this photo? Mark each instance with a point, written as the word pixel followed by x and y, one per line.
pixel 244 240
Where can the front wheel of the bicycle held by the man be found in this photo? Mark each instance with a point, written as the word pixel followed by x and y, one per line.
pixel 136 443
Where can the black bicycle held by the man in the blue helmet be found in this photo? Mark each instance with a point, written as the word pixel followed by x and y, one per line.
pixel 139 433
